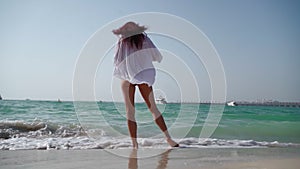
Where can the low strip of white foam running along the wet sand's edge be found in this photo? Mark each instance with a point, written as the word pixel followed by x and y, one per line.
pixel 84 142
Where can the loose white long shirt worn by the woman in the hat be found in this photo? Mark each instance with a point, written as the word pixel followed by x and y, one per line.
pixel 131 63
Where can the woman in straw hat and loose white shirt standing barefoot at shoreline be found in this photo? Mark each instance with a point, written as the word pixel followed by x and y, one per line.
pixel 133 65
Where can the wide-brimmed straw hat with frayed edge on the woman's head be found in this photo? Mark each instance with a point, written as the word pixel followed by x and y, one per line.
pixel 129 29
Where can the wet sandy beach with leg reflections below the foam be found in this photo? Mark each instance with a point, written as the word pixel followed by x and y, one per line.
pixel 223 158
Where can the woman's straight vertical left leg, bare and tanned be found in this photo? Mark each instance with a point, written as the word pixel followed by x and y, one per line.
pixel 128 90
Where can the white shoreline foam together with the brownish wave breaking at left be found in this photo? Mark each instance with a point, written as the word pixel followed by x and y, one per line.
pixel 16 135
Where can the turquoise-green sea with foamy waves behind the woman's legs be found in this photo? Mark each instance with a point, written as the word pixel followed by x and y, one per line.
pixel 28 124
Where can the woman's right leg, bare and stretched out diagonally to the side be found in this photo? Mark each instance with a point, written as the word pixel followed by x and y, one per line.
pixel 147 94
